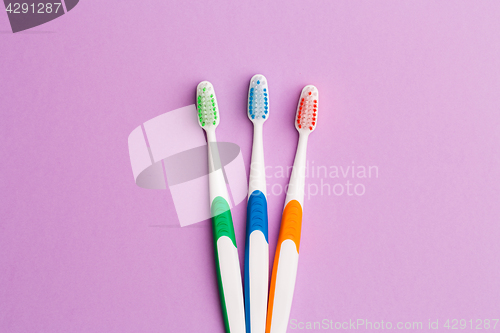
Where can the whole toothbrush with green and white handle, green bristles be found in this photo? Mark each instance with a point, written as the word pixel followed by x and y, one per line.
pixel 226 253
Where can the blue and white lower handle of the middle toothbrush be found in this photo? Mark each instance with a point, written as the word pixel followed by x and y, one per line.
pixel 256 263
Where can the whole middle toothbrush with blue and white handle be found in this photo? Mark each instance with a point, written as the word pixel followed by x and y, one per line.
pixel 257 244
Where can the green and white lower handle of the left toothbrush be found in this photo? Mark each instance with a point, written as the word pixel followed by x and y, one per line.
pixel 228 267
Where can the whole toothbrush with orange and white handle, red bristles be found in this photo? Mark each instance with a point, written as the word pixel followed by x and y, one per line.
pixel 287 250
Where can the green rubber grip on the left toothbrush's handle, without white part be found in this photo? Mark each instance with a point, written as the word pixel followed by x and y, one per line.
pixel 222 225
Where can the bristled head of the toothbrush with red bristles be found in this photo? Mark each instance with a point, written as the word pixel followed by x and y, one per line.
pixel 307 110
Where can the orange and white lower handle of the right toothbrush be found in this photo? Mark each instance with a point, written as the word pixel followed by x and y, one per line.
pixel 284 269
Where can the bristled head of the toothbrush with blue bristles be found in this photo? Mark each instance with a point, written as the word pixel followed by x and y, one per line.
pixel 258 99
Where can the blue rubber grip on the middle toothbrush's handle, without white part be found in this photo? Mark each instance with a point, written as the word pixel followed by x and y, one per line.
pixel 256 220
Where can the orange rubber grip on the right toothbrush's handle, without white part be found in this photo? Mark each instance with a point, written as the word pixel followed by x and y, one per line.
pixel 291 224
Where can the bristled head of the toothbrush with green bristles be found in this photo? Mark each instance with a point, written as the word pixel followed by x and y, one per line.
pixel 206 103
